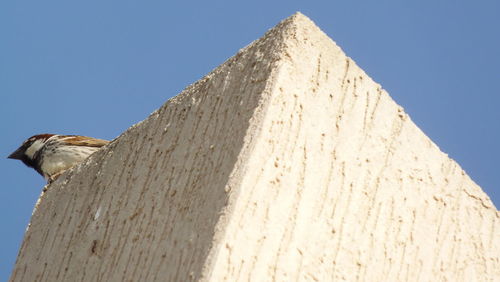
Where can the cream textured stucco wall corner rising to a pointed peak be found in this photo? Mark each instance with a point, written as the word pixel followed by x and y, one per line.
pixel 285 163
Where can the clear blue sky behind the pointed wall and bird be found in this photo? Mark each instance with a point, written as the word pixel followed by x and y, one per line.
pixel 97 67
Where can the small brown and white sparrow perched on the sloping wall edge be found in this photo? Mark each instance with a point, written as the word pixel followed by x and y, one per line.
pixel 52 154
